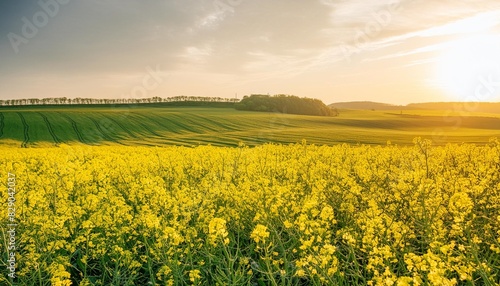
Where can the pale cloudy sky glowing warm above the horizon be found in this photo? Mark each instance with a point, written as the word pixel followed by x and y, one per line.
pixel 392 51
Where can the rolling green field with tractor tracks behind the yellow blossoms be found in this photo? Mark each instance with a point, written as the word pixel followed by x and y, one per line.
pixel 190 126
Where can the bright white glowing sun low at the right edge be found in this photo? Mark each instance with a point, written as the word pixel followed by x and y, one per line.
pixel 469 68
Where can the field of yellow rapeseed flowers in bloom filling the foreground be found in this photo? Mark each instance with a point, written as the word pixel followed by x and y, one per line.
pixel 270 215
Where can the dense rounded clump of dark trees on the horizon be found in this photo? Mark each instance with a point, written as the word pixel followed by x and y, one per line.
pixel 284 104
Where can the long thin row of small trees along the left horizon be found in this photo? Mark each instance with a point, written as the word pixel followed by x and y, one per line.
pixel 78 100
